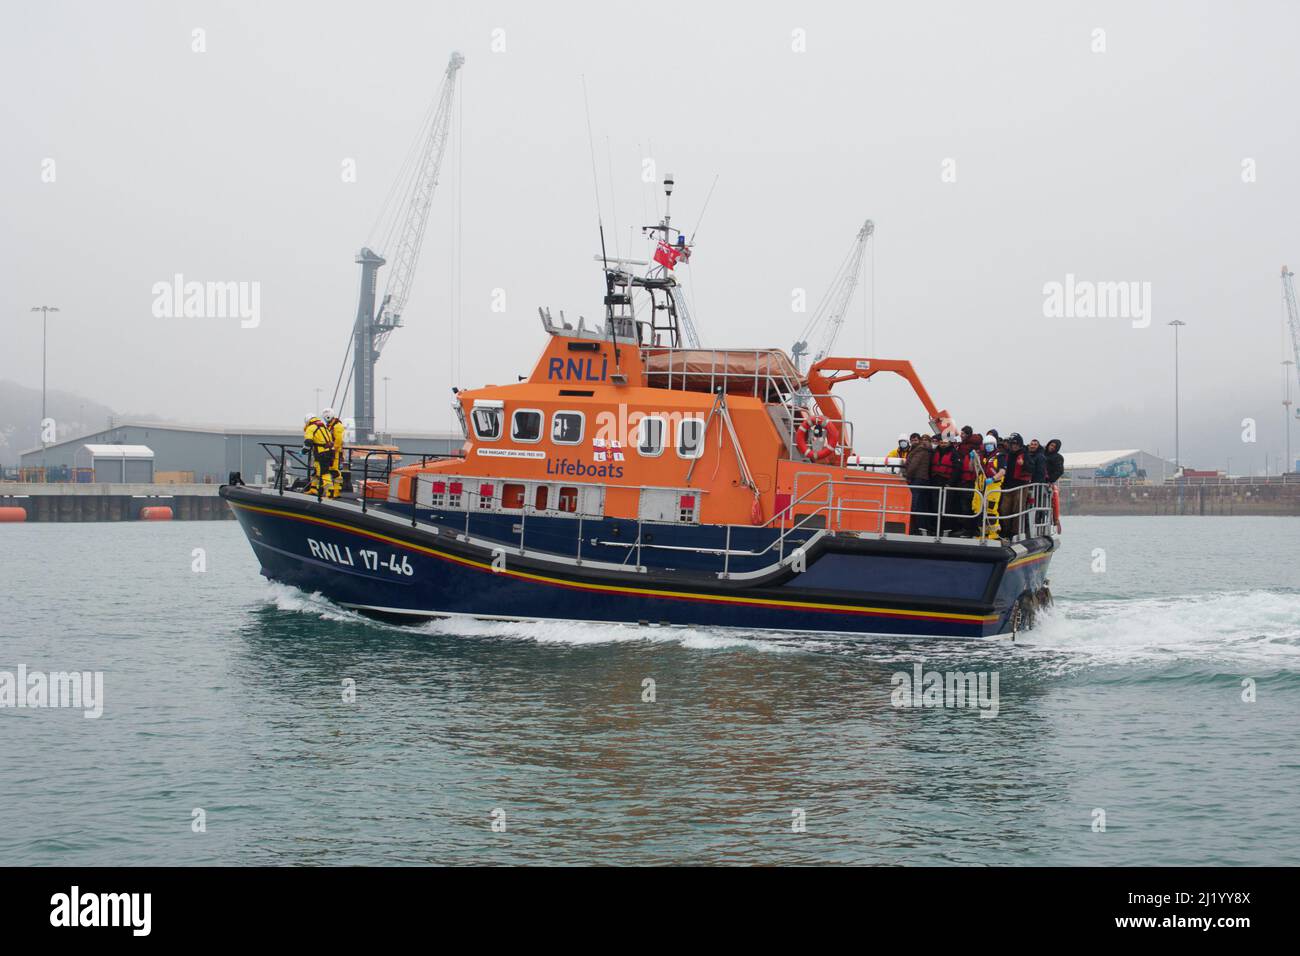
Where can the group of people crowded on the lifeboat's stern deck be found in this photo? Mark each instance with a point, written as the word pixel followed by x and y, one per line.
pixel 980 470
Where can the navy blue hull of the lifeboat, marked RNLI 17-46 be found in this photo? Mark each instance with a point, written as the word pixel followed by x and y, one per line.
pixel 382 565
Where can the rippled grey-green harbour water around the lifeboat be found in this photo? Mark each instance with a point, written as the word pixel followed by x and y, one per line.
pixel 1152 719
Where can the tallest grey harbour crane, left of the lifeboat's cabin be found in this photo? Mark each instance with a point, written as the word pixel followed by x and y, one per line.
pixel 414 191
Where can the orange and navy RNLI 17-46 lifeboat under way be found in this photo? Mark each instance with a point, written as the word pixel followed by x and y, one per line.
pixel 638 478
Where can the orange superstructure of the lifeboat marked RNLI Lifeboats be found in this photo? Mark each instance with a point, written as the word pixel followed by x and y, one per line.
pixel 623 430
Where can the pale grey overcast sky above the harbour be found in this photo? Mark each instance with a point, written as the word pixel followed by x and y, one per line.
pixel 226 166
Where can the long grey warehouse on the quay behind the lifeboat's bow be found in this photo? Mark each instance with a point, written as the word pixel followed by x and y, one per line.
pixel 200 453
